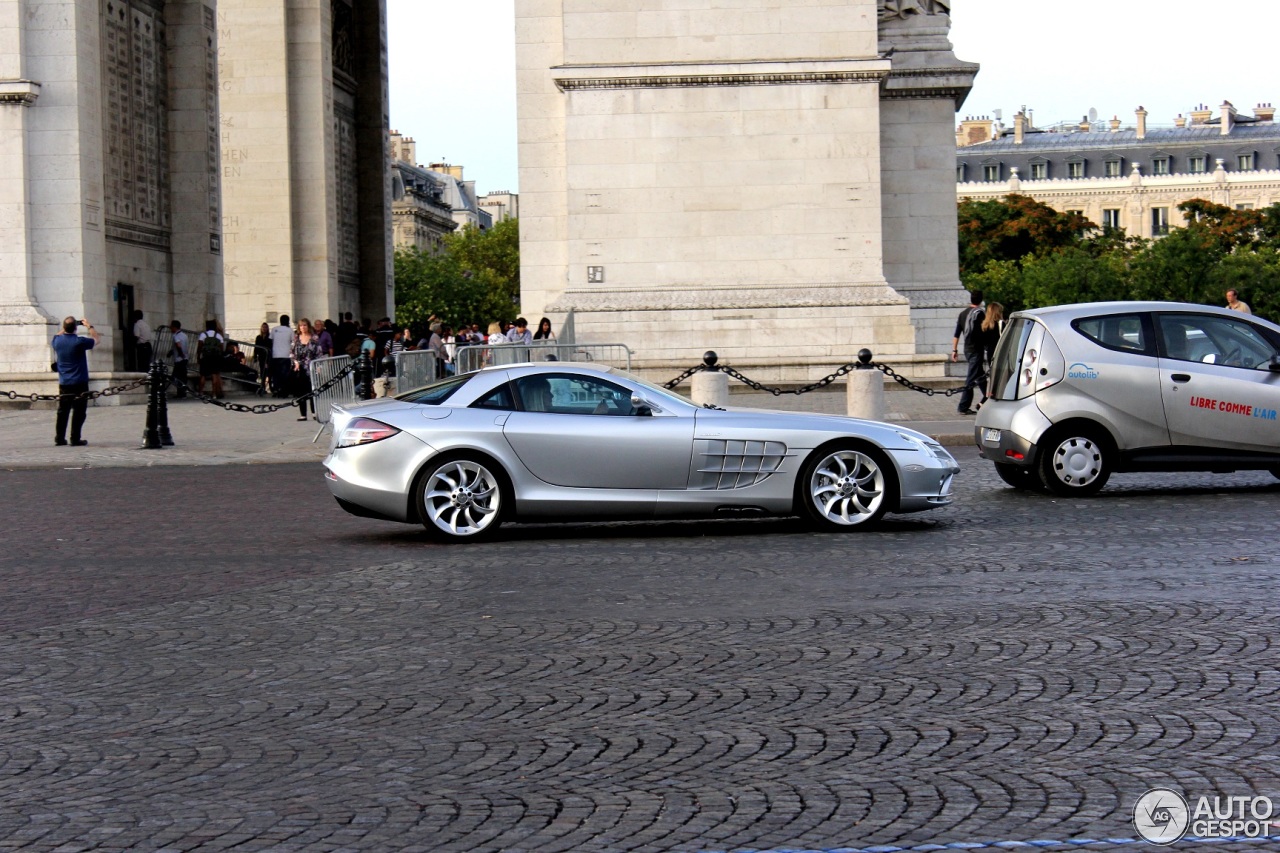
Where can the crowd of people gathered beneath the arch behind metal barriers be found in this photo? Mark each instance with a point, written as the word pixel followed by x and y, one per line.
pixel 281 357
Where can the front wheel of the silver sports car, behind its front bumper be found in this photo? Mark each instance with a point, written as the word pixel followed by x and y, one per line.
pixel 847 487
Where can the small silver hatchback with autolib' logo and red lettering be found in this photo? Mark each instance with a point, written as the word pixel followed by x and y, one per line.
pixel 1080 393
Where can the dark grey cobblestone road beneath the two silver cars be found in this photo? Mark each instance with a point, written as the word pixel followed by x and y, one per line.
pixel 276 676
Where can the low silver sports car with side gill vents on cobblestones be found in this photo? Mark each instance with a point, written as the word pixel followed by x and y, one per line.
pixel 560 443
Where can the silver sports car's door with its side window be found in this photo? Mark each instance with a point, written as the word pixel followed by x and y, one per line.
pixel 580 431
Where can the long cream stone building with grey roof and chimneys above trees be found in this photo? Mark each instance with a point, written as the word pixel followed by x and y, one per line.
pixel 1127 177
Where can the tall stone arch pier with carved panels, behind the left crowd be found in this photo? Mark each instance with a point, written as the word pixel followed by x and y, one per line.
pixel 190 158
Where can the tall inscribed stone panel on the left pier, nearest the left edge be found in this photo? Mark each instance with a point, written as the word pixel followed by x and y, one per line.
pixel 138 124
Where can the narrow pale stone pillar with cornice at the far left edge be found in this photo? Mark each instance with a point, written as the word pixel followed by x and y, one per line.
pixel 25 330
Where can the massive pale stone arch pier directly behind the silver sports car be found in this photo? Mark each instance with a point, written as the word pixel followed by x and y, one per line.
pixel 772 184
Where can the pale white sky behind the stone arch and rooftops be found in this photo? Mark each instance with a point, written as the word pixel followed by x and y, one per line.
pixel 452 67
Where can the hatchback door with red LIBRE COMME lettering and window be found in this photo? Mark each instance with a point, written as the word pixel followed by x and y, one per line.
pixel 1217 382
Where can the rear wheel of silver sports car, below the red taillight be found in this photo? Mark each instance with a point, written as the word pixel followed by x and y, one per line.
pixel 461 499
